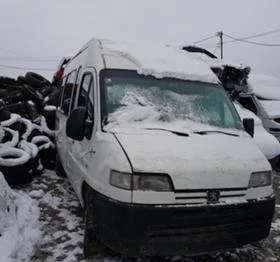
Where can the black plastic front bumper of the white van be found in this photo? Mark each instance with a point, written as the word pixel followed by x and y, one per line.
pixel 145 230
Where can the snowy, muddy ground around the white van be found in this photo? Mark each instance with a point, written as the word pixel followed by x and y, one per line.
pixel 49 227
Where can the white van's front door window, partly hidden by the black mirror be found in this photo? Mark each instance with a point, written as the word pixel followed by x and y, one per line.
pixel 85 99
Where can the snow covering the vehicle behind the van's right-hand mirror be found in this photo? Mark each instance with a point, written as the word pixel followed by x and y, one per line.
pixel 267 143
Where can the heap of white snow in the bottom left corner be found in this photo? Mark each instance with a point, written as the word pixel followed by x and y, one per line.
pixel 19 224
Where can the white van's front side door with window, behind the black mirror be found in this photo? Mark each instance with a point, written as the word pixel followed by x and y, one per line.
pixel 82 152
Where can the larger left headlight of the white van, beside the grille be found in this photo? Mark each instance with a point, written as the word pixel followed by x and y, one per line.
pixel 141 182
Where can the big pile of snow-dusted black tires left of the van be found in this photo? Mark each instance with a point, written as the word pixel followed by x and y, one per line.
pixel 27 122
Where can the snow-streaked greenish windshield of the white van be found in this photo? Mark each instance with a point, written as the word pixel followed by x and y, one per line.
pixel 130 98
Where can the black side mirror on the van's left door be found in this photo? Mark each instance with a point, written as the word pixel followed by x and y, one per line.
pixel 75 125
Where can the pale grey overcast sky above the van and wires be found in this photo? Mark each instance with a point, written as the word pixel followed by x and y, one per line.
pixel 51 29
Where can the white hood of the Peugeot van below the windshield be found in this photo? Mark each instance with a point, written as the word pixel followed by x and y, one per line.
pixel 196 161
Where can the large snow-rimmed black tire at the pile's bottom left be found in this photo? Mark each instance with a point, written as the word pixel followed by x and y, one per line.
pixel 15 166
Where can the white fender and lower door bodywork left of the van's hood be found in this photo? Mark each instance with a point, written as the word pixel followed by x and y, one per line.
pixel 94 166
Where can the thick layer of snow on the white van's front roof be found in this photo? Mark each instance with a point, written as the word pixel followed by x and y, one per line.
pixel 160 61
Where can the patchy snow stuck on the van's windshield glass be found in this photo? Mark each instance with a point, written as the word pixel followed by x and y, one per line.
pixel 138 105
